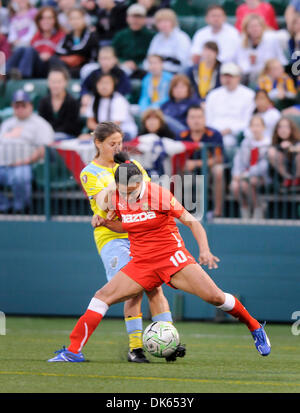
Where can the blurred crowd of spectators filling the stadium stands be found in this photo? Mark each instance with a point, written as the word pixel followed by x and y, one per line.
pixel 232 85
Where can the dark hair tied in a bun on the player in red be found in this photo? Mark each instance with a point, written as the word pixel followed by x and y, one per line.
pixel 127 170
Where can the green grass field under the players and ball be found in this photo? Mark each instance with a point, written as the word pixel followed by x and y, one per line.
pixel 220 358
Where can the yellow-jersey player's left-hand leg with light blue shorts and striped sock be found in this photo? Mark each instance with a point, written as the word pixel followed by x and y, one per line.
pixel 115 255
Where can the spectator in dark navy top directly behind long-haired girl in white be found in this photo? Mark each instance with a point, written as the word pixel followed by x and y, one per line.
pixel 107 63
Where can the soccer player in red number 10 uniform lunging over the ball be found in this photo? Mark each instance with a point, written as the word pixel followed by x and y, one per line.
pixel 147 211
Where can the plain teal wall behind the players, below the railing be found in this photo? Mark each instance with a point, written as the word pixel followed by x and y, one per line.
pixel 52 268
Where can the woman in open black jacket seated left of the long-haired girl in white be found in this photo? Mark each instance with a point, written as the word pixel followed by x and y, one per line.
pixel 59 108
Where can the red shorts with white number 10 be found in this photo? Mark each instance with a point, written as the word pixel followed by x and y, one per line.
pixel 153 273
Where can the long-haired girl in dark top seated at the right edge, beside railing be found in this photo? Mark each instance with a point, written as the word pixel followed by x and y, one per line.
pixel 284 154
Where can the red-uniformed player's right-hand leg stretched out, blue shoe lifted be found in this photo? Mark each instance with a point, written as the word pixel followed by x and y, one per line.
pixel 194 280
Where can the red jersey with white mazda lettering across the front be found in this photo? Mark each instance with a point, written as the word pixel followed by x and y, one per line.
pixel 150 222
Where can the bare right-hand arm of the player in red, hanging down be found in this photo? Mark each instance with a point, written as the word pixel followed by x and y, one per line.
pixel 205 256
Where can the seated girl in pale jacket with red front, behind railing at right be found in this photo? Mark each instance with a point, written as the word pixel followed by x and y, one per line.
pixel 250 169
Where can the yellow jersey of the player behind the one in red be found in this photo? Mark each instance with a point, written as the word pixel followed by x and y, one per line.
pixel 94 178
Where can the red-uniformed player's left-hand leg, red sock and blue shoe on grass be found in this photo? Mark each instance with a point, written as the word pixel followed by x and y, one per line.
pixel 118 289
